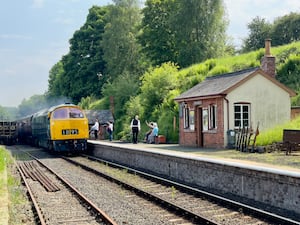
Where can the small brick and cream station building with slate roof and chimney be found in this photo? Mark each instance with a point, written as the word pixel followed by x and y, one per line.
pixel 214 109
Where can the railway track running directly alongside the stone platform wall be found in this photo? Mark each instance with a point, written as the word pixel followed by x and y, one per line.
pixel 201 207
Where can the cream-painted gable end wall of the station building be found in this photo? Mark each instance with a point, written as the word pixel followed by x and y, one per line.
pixel 270 104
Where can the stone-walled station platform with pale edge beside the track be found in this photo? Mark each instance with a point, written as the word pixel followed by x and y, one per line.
pixel 224 172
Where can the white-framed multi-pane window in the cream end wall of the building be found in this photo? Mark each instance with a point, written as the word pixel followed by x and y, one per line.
pixel 241 115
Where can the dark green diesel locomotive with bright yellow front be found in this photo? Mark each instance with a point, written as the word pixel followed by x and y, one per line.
pixel 61 128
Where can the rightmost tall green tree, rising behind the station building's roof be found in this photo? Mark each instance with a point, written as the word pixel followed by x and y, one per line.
pixel 199 28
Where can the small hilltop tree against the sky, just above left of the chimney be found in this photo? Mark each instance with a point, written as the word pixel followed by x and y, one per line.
pixel 259 31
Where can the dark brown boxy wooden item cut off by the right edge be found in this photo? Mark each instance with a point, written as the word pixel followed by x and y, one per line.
pixel 291 141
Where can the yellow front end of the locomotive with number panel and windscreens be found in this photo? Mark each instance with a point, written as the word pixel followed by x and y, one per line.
pixel 68 128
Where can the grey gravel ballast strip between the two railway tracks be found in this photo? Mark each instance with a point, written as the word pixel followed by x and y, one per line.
pixel 122 205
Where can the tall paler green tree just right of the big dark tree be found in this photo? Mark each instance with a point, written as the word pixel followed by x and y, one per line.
pixel 121 51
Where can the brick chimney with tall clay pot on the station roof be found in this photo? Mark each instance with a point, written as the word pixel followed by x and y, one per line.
pixel 268 61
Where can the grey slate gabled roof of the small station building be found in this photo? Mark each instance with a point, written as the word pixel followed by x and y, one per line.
pixel 223 84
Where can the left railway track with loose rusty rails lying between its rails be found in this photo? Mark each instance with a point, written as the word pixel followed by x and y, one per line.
pixel 55 200
